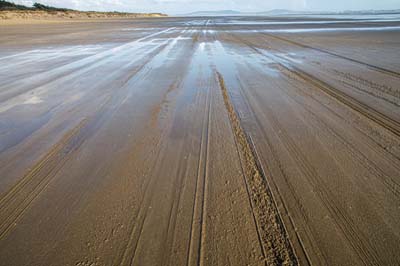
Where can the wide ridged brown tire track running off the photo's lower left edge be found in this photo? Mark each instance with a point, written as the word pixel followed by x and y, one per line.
pixel 15 202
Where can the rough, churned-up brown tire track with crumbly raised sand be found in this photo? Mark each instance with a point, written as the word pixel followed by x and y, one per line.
pixel 275 243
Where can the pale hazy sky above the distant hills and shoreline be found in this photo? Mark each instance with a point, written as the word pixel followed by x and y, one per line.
pixel 182 6
